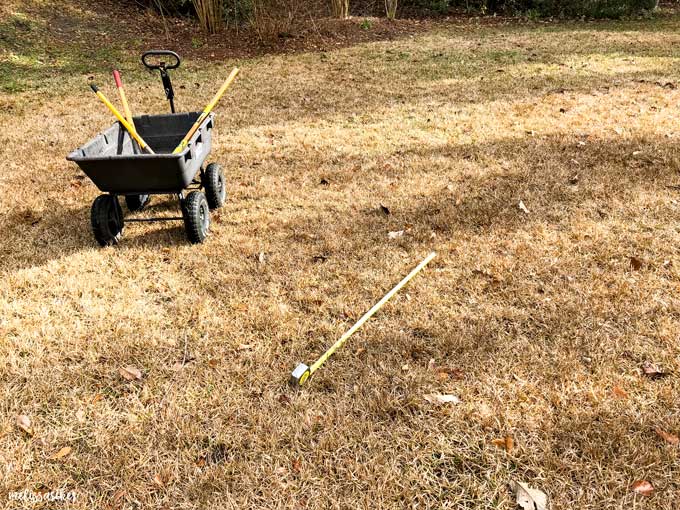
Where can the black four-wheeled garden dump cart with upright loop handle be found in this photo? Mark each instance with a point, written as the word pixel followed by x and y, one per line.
pixel 113 161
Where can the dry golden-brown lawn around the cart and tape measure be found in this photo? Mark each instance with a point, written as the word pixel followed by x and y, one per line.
pixel 542 313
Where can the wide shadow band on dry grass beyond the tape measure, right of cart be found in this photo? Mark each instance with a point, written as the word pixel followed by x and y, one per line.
pixel 476 203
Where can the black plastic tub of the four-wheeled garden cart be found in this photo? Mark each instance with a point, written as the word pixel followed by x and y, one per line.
pixel 113 163
